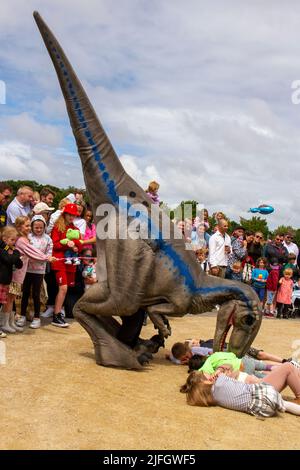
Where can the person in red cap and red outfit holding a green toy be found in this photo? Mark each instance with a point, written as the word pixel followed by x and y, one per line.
pixel 65 273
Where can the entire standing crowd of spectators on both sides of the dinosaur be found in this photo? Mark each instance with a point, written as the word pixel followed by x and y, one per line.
pixel 48 255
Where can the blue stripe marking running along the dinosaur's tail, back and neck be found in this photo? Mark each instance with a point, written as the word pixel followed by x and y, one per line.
pixel 179 264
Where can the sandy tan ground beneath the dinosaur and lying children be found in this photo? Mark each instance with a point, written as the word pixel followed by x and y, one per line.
pixel 53 395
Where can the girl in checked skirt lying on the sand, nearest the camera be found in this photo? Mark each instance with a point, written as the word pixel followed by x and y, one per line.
pixel 259 399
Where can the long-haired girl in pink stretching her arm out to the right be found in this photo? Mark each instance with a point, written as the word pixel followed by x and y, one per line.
pixel 27 251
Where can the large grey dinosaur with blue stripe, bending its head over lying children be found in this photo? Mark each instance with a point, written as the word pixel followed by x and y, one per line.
pixel 156 273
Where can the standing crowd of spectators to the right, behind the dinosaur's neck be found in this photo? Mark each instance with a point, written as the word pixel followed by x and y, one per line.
pixel 269 266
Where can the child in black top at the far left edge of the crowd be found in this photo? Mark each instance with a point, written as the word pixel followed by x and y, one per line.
pixel 9 261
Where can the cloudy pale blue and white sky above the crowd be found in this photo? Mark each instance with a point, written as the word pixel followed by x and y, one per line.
pixel 195 94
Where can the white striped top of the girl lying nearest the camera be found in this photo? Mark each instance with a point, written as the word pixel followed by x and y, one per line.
pixel 232 394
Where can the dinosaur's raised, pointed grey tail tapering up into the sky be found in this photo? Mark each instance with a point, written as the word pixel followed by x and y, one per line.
pixel 104 175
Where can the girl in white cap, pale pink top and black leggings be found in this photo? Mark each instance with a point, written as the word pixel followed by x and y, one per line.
pixel 36 269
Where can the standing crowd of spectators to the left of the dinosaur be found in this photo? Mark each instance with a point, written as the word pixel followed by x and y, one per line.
pixel 43 253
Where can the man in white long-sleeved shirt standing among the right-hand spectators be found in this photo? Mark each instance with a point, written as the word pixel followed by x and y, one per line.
pixel 219 249
